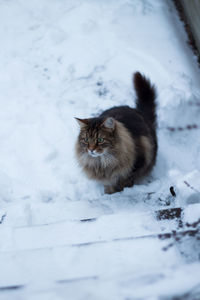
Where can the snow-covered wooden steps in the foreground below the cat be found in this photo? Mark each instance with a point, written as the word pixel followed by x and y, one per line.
pixel 144 250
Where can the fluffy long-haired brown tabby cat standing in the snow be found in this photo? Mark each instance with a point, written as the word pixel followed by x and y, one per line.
pixel 119 147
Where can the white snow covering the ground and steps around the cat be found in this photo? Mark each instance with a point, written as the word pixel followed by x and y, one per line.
pixel 60 236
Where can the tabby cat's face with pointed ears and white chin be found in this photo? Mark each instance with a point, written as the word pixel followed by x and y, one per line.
pixel 96 136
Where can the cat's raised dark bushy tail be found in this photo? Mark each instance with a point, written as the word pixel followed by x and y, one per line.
pixel 146 95
